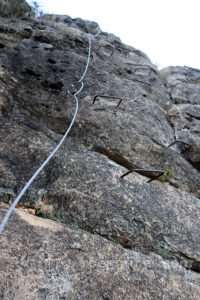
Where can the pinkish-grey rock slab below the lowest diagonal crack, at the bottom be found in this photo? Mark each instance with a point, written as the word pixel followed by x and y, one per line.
pixel 52 261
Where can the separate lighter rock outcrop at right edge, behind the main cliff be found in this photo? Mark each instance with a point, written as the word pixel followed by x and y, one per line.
pixel 184 86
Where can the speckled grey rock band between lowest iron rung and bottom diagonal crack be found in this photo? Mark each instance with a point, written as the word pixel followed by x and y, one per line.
pixel 146 217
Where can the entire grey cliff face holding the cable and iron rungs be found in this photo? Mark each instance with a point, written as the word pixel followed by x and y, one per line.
pixel 111 238
